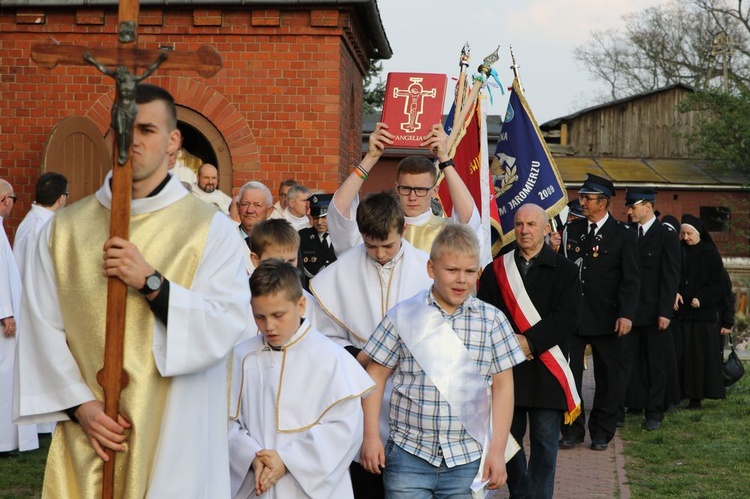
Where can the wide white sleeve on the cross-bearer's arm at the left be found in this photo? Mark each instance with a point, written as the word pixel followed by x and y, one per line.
pixel 47 376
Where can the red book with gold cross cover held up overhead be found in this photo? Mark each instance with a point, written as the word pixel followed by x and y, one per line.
pixel 413 103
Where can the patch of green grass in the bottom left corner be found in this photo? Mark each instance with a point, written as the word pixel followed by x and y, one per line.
pixel 21 477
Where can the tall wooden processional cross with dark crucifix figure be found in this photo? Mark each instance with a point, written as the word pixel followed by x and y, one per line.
pixel 116 63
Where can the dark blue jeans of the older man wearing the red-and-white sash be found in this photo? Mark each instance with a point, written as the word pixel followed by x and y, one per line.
pixel 537 479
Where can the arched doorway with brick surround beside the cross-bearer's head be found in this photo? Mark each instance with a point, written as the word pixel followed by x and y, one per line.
pixel 201 138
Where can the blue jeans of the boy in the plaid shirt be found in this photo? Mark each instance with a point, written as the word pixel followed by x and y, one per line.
pixel 407 476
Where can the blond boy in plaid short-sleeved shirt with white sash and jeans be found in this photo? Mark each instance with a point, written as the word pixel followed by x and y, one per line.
pixel 451 357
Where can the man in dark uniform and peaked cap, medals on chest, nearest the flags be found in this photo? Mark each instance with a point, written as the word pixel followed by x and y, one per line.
pixel 606 252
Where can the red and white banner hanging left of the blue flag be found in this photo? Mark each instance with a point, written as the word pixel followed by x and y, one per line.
pixel 470 155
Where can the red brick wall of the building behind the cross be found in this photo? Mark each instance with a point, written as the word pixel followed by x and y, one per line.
pixel 288 100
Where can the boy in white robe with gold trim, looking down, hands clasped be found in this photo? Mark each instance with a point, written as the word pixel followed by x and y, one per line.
pixel 295 405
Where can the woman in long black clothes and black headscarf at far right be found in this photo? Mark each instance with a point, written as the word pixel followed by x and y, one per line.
pixel 698 299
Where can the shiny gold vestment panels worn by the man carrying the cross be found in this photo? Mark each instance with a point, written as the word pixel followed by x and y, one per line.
pixel 171 240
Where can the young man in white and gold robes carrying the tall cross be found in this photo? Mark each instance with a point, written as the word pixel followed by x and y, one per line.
pixel 186 308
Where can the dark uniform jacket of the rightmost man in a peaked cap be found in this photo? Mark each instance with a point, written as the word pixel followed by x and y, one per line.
pixel 659 254
